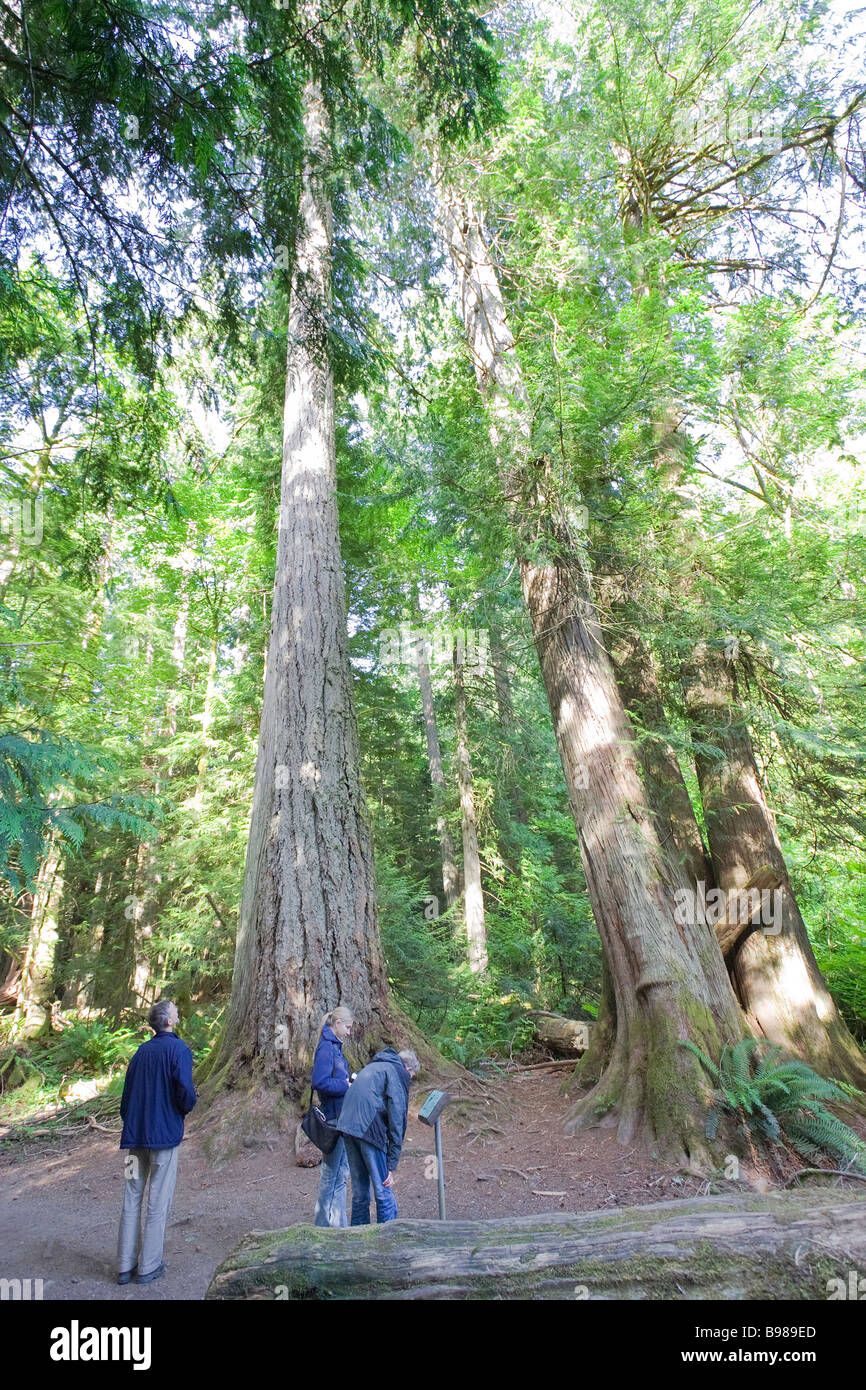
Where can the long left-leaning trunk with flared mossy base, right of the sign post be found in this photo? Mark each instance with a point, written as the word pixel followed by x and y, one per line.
pixel 669 979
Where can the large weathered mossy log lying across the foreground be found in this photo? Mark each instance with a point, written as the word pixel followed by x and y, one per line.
pixel 740 1248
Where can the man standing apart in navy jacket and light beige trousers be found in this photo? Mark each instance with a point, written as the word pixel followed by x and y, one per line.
pixel 158 1095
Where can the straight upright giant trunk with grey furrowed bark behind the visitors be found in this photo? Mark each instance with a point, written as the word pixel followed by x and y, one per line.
pixel 309 931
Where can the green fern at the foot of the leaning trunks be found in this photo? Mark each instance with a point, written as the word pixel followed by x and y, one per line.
pixel 776 1099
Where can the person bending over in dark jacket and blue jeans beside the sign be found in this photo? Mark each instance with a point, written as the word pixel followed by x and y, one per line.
pixel 373 1124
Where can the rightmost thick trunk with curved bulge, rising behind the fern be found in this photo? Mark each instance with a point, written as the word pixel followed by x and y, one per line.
pixel 775 971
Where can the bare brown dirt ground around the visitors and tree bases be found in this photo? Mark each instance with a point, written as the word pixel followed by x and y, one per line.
pixel 504 1156
